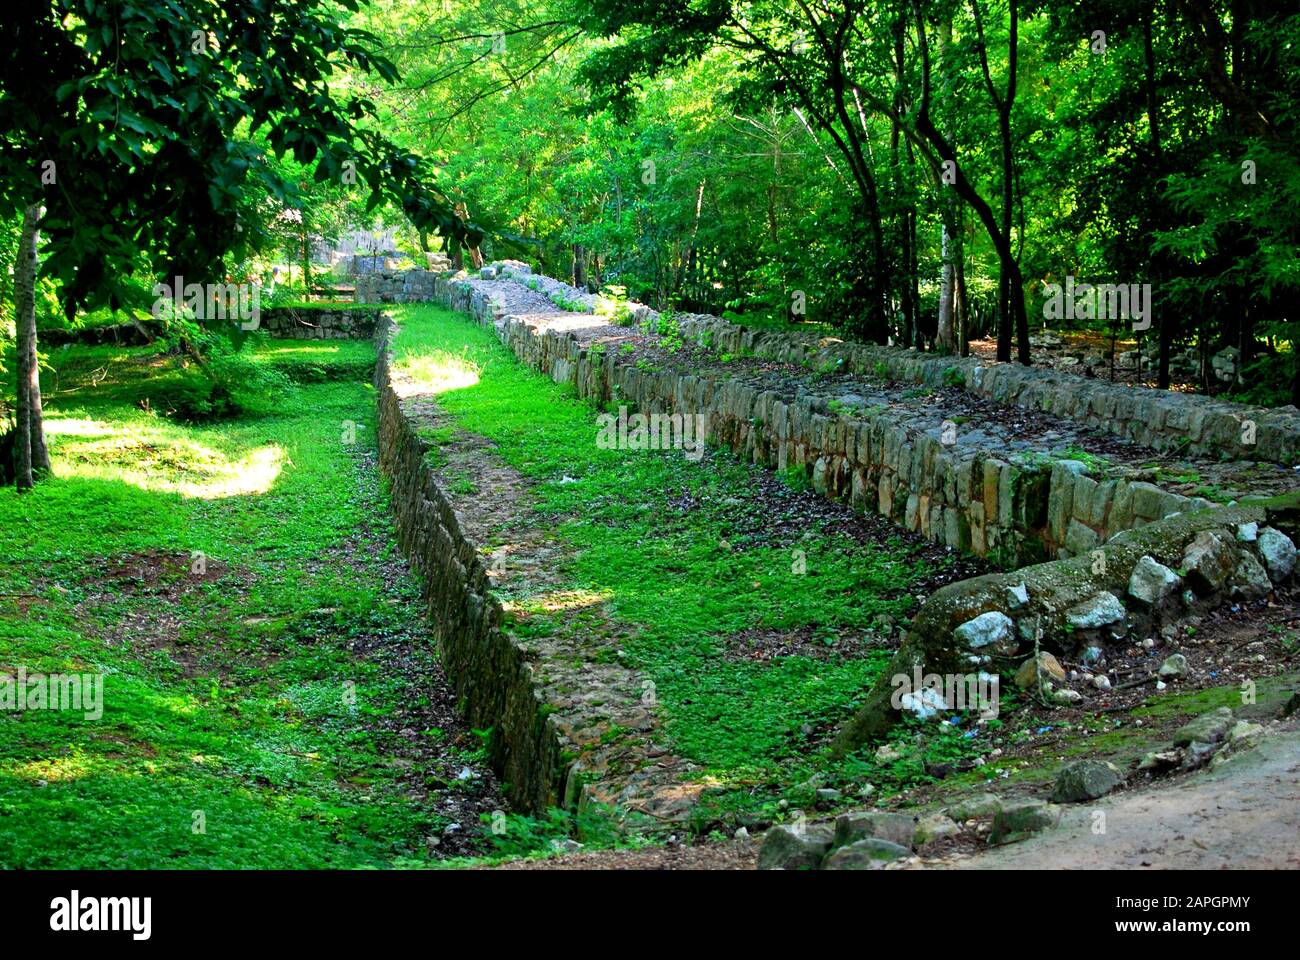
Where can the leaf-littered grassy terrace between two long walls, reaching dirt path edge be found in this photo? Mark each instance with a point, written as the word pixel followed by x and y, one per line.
pixel 756 658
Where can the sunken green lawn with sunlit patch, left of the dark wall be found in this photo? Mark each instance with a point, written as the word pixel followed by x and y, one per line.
pixel 271 697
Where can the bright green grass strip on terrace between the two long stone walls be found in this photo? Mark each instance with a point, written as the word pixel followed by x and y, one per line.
pixel 683 582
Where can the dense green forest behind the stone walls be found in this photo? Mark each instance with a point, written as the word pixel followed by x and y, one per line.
pixel 908 172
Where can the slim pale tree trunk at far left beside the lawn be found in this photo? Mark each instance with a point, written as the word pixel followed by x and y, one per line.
pixel 32 456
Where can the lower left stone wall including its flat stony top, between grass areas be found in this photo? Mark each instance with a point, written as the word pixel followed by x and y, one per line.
pixel 570 723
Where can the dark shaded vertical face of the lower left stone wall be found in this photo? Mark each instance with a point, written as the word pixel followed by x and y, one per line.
pixel 491 674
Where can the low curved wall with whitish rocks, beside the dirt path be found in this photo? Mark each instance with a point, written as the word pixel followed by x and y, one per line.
pixel 1138 583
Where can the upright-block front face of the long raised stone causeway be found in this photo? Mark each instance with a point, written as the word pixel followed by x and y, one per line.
pixel 1013 512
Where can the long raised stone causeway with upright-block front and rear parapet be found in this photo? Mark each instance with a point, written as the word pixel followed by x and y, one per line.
pixel 980 488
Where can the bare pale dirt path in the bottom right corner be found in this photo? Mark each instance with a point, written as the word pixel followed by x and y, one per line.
pixel 1245 815
